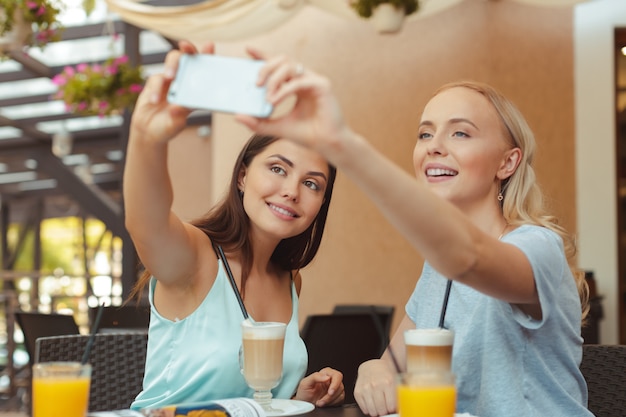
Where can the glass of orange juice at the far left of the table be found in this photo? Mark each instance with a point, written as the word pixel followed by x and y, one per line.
pixel 61 389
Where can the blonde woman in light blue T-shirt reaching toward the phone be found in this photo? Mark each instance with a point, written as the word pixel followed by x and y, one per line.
pixel 474 212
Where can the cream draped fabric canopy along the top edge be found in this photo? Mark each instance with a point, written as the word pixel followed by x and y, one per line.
pixel 221 20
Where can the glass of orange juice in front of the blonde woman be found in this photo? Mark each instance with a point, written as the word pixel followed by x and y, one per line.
pixel 417 399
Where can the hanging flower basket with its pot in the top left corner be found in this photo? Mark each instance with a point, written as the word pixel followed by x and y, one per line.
pixel 28 23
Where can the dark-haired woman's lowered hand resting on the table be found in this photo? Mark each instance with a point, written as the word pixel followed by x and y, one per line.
pixel 322 388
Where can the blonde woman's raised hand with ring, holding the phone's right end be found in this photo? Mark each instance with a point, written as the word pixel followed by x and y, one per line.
pixel 315 120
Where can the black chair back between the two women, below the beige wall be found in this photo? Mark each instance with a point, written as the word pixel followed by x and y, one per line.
pixel 342 342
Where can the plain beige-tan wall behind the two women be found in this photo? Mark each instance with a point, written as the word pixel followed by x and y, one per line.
pixel 383 81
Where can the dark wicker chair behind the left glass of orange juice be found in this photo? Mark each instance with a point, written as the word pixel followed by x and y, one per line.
pixel 117 359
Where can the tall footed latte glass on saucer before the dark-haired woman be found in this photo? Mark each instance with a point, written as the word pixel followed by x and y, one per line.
pixel 262 358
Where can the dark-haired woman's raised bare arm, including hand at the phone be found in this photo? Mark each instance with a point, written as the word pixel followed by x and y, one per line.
pixel 166 245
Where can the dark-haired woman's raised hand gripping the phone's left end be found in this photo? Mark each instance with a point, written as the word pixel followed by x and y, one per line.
pixel 154 119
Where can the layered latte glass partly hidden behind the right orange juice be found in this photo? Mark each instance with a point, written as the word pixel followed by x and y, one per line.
pixel 428 349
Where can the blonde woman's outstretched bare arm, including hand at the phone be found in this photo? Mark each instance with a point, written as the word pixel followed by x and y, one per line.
pixel 459 245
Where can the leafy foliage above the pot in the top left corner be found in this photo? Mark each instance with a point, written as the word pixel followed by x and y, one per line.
pixel 41 15
